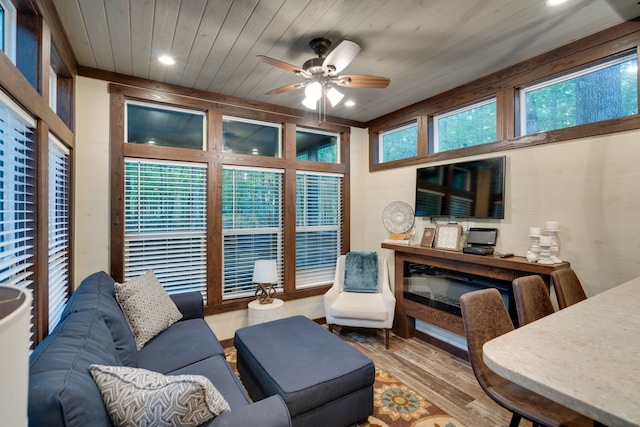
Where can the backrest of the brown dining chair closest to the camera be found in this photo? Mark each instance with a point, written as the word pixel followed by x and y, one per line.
pixel 485 317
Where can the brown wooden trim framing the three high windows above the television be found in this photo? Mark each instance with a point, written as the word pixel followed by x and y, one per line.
pixel 504 86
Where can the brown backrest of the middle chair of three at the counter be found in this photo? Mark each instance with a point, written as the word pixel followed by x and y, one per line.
pixel 532 299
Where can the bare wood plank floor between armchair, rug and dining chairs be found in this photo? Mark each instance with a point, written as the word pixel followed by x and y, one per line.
pixel 445 380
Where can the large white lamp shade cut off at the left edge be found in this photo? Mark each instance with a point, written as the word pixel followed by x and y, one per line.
pixel 15 309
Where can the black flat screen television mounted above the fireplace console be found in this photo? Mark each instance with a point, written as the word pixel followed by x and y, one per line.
pixel 471 189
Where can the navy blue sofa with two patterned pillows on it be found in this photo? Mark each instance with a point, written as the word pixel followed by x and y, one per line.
pixel 93 329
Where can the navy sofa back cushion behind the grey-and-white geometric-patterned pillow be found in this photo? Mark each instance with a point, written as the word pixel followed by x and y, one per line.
pixel 61 389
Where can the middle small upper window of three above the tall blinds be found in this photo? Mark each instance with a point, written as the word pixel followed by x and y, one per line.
pixel 243 136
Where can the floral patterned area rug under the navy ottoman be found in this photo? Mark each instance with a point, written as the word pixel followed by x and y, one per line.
pixel 394 404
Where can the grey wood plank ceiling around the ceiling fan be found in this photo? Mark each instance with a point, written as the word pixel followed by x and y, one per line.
pixel 424 47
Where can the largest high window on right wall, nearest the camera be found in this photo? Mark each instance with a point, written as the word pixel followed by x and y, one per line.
pixel 601 92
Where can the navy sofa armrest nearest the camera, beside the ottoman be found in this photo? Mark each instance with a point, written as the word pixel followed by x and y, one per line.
pixel 269 412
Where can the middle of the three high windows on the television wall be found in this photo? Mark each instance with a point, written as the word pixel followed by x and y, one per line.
pixel 465 127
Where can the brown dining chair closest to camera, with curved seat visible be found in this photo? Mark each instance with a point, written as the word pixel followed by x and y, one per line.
pixel 485 317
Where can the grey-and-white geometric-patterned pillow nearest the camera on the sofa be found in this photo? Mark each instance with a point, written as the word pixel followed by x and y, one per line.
pixel 138 397
